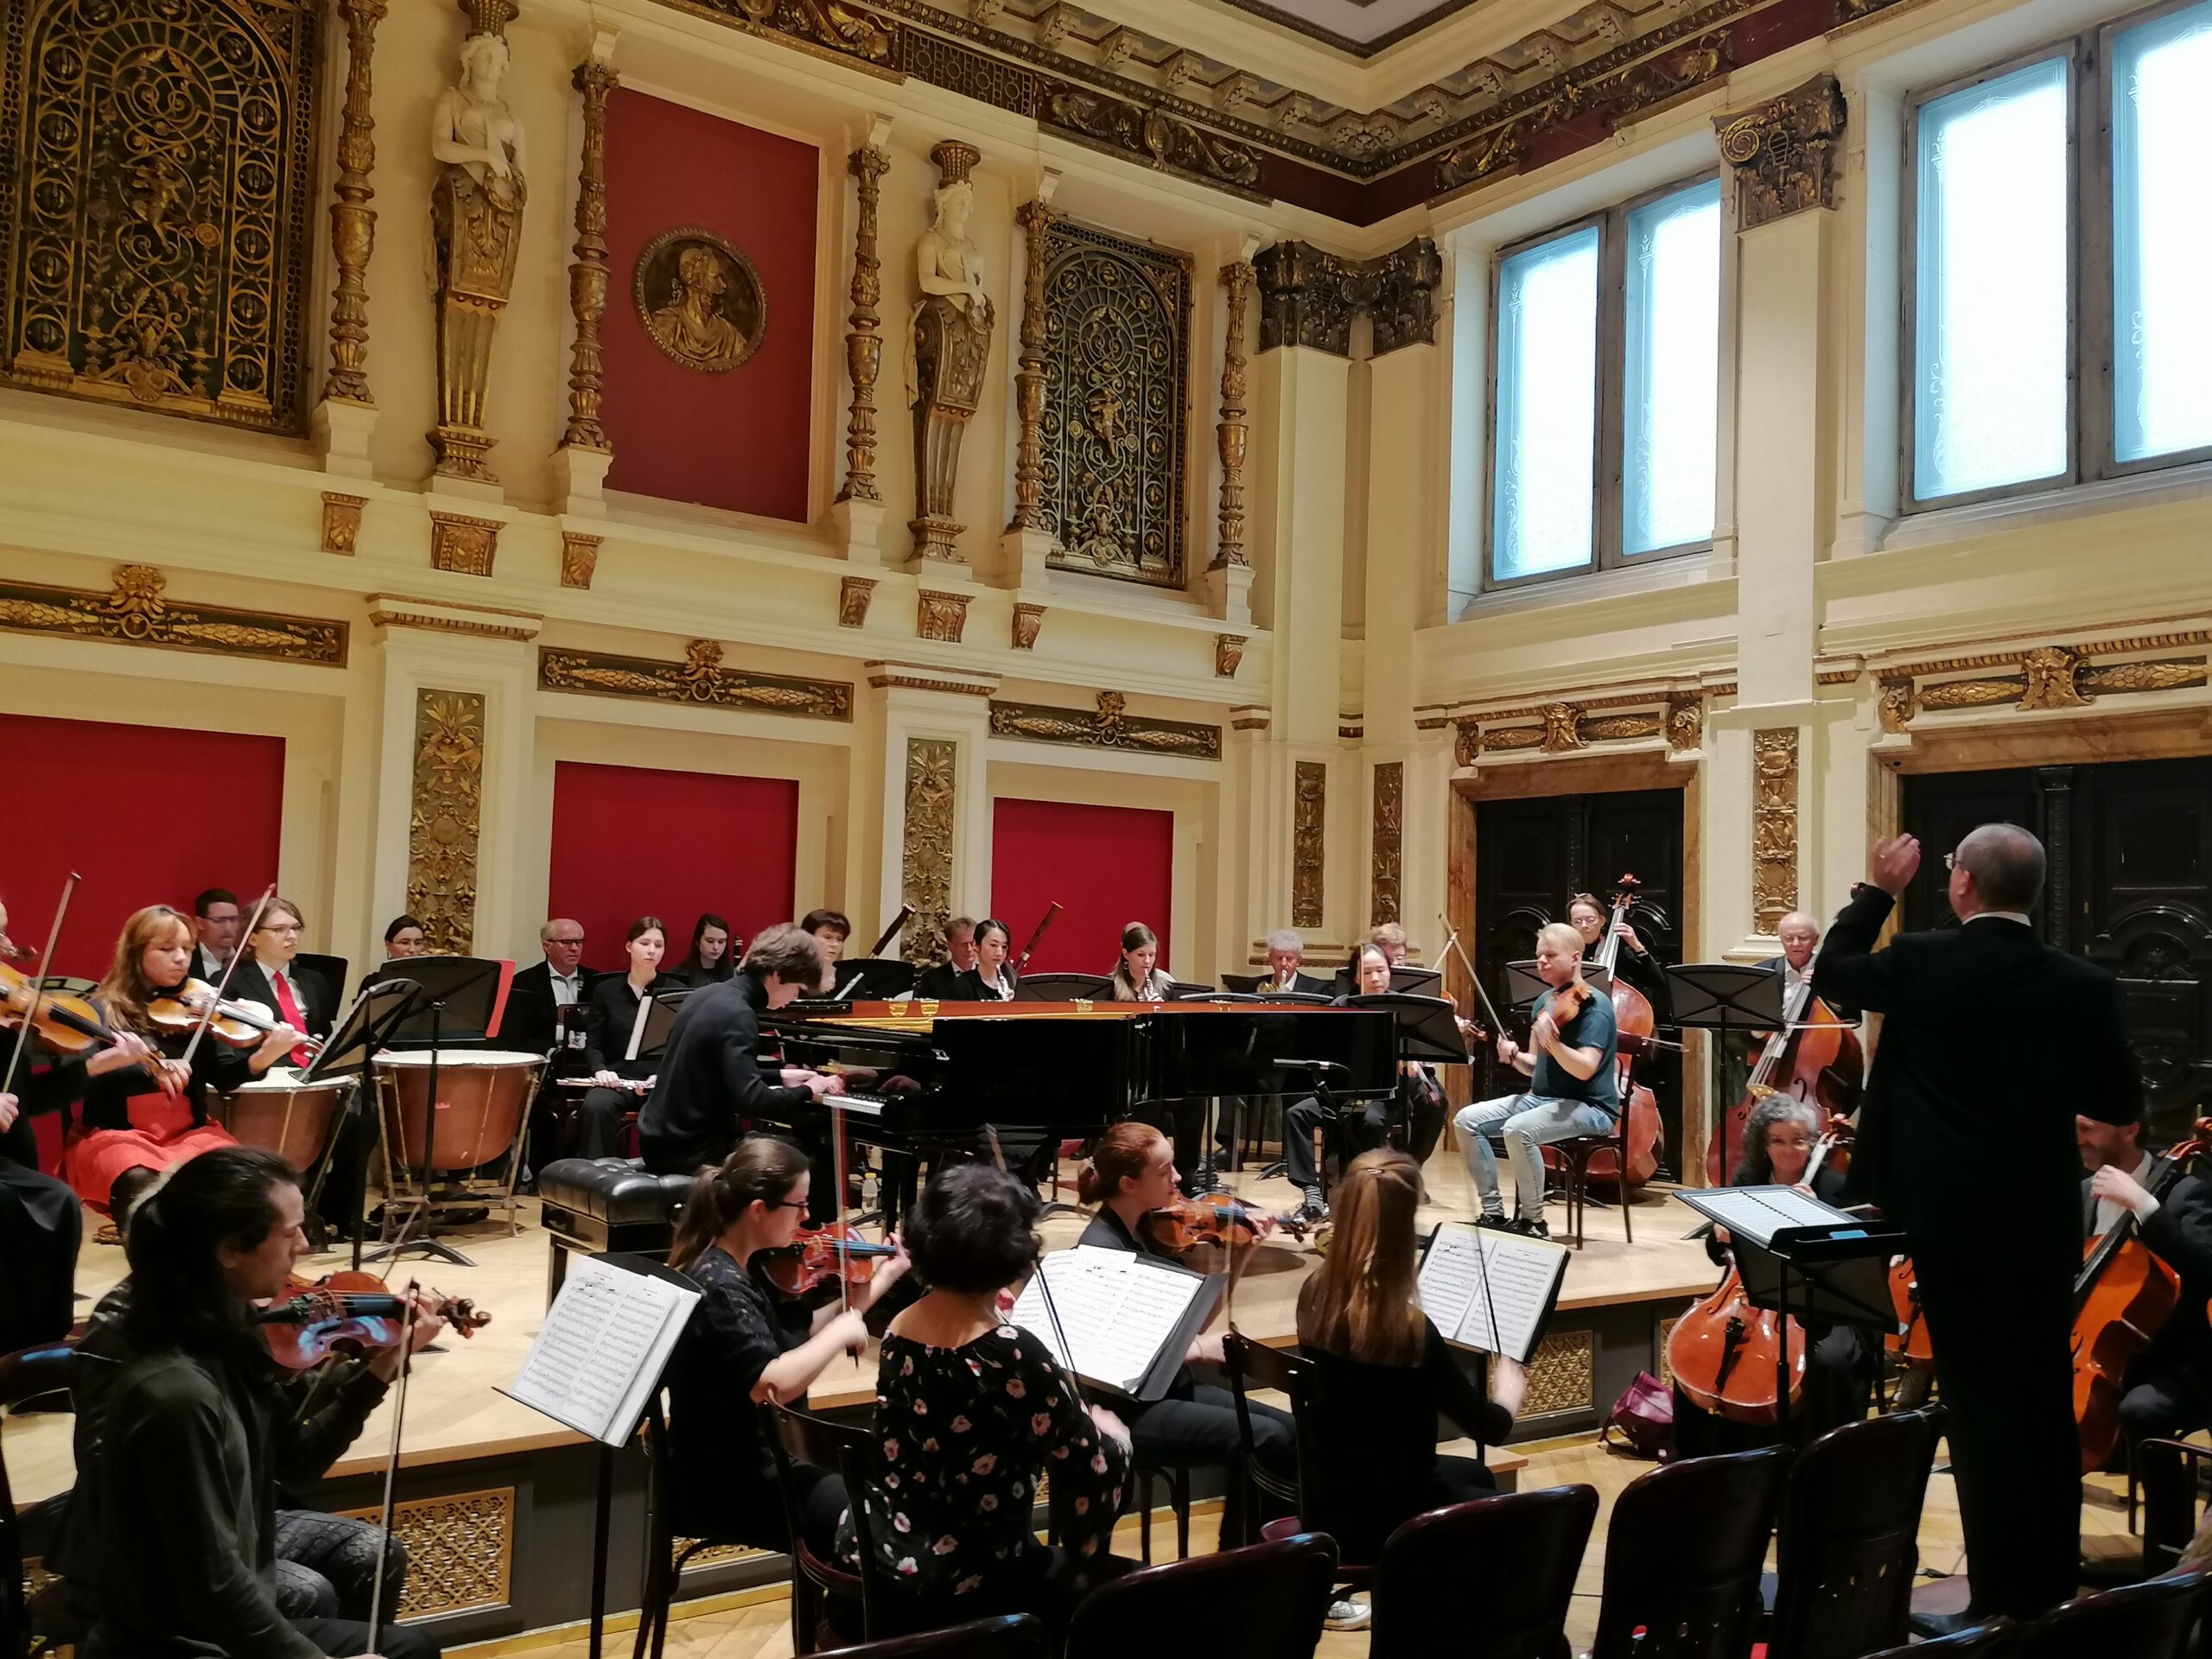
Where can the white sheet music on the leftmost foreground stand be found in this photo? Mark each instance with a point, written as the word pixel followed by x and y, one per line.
pixel 603 1348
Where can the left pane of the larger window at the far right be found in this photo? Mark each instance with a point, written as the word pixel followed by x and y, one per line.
pixel 1990 362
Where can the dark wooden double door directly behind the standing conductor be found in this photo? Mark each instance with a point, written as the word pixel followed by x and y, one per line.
pixel 2129 888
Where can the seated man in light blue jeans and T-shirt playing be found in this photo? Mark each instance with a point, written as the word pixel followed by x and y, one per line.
pixel 1572 1089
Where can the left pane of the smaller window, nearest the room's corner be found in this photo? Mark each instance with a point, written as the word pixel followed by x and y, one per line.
pixel 1547 408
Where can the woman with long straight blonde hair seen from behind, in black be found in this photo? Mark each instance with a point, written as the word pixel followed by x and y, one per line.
pixel 1384 1377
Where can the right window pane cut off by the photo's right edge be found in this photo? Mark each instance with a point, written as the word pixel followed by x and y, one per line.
pixel 2162 238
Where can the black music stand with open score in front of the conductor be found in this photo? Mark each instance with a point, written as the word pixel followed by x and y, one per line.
pixel 1833 1271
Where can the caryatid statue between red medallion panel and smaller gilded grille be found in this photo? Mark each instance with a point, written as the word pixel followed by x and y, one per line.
pixel 952 344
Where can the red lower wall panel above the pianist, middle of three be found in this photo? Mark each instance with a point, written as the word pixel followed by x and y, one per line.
pixel 636 842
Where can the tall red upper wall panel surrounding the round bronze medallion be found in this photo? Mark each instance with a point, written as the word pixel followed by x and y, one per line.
pixel 738 439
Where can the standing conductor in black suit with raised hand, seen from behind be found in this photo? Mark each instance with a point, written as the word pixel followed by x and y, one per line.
pixel 1994 1253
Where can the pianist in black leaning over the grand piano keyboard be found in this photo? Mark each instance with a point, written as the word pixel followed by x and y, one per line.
pixel 711 1078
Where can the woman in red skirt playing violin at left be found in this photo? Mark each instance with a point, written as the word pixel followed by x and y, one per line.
pixel 156 1114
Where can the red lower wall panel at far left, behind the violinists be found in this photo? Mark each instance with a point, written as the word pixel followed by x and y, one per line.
pixel 145 815
